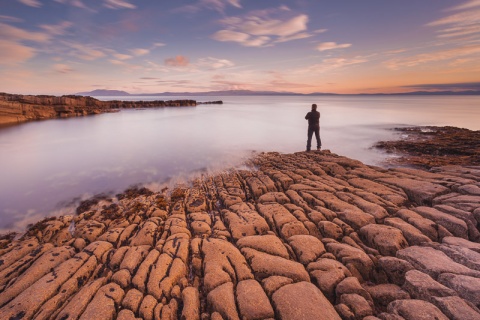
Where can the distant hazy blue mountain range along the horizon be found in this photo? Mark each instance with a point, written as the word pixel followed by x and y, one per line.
pixel 119 93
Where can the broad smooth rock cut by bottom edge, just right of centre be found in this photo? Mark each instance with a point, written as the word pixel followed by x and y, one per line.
pixel 302 301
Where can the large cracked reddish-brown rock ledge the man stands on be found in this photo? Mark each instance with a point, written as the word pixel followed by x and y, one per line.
pixel 310 235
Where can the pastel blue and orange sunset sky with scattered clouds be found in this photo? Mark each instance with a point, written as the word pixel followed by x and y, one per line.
pixel 148 46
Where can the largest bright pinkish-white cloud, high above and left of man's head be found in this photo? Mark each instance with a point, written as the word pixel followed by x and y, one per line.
pixel 263 28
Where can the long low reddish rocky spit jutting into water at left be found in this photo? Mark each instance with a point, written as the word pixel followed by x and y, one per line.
pixel 19 108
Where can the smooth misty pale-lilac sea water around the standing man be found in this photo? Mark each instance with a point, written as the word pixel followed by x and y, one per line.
pixel 47 166
